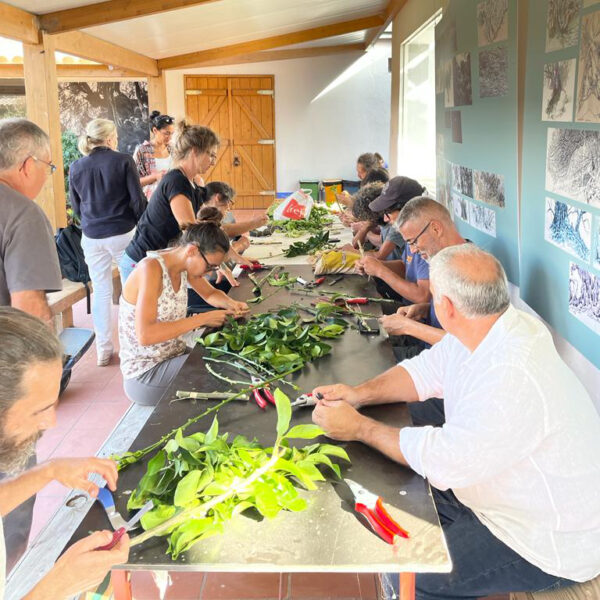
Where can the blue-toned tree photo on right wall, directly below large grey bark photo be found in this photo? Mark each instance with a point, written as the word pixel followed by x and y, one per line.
pixel 569 228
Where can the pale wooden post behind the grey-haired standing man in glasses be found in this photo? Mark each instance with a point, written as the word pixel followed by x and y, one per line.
pixel 41 91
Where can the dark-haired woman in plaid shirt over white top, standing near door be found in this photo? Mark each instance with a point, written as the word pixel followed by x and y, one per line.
pixel 153 157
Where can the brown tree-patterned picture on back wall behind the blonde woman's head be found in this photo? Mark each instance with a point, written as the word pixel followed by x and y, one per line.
pixel 123 102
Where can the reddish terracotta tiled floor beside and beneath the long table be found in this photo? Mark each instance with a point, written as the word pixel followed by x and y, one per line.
pixel 88 411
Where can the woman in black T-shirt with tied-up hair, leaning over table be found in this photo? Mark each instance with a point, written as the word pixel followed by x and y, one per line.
pixel 177 199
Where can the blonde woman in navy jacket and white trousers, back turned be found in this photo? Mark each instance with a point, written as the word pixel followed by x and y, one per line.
pixel 105 192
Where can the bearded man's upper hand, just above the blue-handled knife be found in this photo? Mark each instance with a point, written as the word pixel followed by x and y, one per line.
pixel 74 472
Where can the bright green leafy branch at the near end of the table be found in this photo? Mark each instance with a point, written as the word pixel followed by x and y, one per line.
pixel 198 483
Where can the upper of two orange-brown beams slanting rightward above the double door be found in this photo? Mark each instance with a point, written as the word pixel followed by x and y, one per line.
pixel 287 39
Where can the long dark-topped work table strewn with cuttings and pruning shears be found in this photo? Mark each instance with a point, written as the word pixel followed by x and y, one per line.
pixel 327 537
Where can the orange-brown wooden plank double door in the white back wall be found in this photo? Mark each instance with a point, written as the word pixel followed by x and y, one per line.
pixel 240 109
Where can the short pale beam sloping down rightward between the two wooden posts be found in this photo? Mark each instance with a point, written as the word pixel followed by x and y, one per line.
pixel 93 48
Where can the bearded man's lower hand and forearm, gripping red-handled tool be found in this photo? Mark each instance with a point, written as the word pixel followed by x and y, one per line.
pixel 82 567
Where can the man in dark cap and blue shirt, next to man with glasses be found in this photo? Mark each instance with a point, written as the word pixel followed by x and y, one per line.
pixel 409 276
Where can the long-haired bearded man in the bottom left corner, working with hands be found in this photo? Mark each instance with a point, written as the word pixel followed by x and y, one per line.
pixel 30 374
